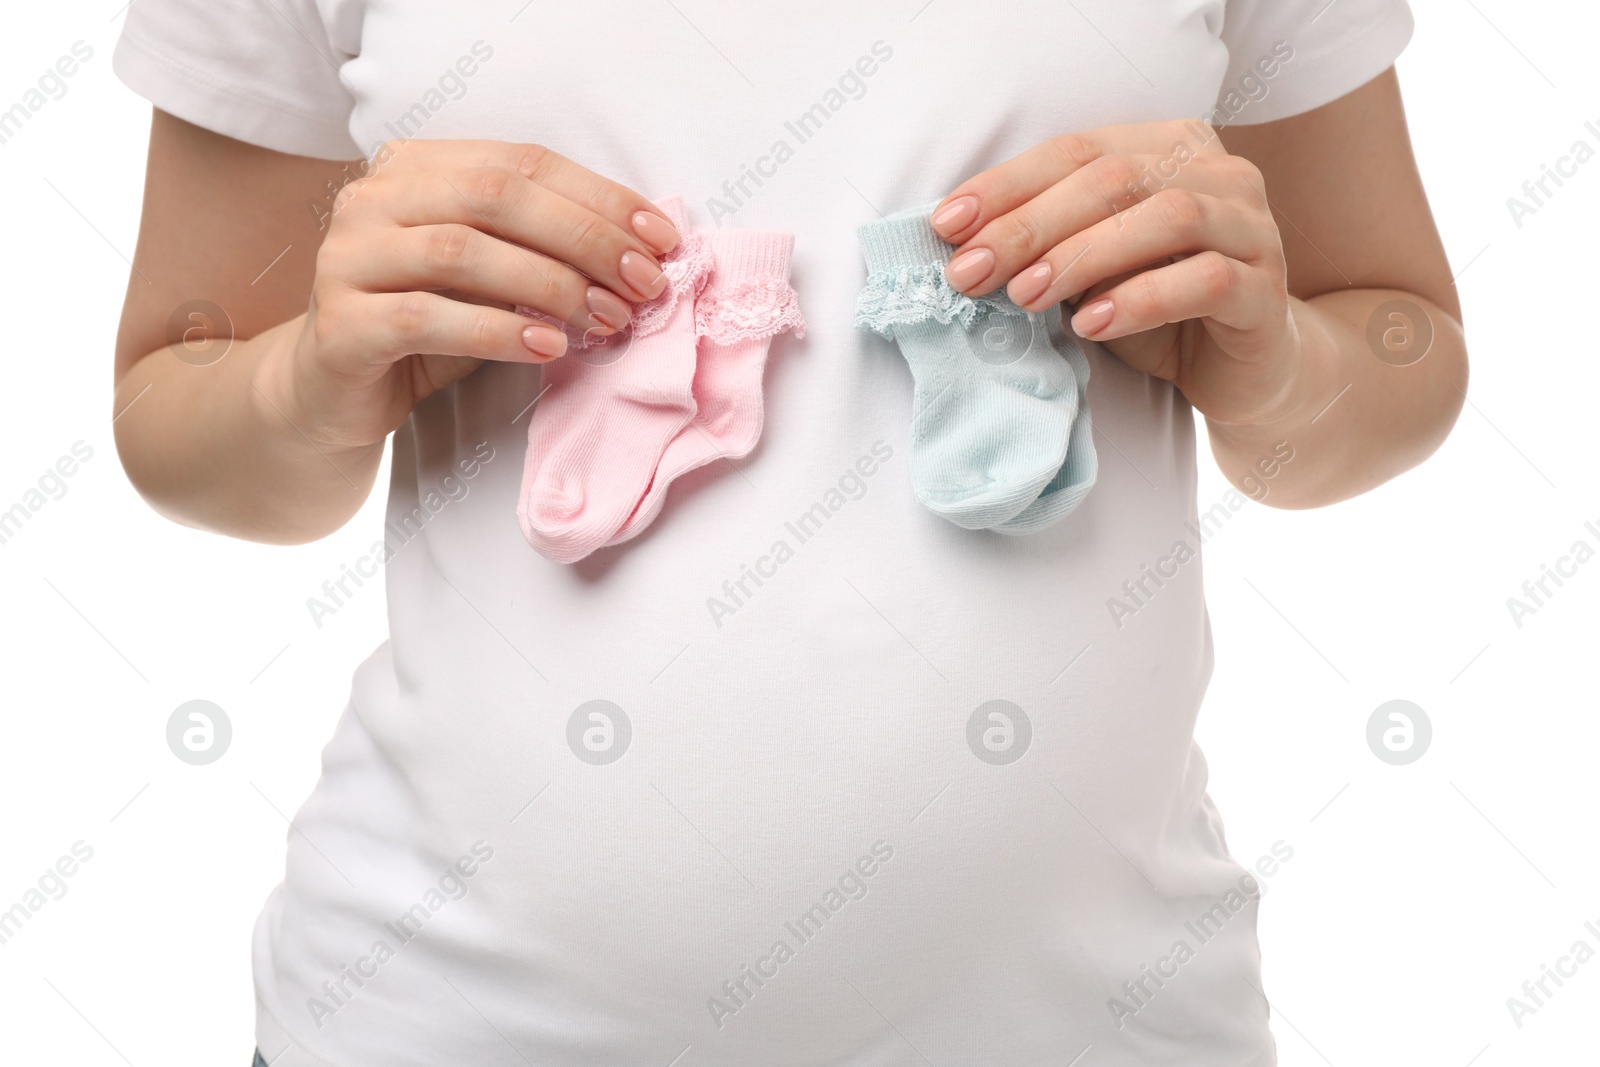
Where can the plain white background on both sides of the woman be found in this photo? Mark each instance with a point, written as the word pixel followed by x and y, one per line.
pixel 1418 898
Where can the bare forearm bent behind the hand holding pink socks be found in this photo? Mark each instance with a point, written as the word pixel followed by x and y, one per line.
pixel 207 449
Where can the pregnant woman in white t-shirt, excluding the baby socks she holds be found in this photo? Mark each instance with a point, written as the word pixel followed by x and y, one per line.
pixel 902 791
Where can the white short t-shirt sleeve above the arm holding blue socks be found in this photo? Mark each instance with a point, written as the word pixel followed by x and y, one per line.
pixel 1289 57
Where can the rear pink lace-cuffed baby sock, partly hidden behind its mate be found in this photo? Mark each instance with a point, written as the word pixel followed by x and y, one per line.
pixel 745 305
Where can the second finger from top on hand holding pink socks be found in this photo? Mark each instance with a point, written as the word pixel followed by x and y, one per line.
pixel 516 210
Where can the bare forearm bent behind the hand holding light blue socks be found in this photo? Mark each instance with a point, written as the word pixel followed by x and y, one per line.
pixel 1353 420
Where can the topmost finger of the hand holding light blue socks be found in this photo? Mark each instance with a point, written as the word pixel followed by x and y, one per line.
pixel 1001 190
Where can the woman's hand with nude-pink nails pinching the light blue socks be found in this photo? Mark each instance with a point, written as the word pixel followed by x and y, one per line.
pixel 1164 242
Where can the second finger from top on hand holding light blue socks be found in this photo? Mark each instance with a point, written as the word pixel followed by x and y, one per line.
pixel 1100 191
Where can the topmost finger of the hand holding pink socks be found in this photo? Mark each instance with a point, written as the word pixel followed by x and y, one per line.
pixel 612 201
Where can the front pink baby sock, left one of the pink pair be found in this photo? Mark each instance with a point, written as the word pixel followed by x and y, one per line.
pixel 604 423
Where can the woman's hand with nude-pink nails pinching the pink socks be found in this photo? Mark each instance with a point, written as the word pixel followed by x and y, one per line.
pixel 425 260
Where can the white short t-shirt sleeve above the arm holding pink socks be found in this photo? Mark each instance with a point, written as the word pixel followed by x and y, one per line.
pixel 258 71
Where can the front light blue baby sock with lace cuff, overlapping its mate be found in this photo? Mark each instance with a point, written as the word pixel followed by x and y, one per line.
pixel 994 402
